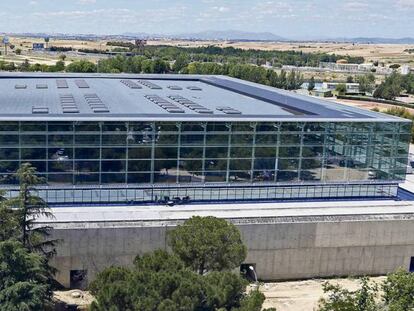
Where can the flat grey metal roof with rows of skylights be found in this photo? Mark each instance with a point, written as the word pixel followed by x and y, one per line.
pixel 125 97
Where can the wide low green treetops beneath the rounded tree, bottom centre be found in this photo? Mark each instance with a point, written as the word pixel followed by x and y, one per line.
pixel 160 281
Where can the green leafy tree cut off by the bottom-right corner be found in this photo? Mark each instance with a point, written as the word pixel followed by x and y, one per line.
pixel 398 291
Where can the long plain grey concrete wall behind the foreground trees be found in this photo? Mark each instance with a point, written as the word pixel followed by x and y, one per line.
pixel 281 250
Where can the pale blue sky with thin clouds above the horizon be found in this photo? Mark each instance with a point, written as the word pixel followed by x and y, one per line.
pixel 288 18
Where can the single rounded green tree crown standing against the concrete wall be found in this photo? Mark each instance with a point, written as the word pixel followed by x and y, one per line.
pixel 208 244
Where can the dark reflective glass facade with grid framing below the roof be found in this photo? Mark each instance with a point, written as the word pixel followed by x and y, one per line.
pixel 202 154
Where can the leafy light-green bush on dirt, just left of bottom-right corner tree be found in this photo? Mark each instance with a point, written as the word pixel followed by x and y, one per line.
pixel 340 299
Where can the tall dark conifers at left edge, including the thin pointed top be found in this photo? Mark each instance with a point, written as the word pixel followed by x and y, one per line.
pixel 25 275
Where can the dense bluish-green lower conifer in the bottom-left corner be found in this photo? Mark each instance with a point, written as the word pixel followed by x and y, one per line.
pixel 24 279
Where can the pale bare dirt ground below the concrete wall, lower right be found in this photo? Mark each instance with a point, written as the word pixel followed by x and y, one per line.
pixel 302 295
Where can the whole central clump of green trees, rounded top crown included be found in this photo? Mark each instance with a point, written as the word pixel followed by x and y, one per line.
pixel 163 281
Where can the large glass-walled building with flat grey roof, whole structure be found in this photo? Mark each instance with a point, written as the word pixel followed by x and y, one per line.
pixel 149 138
